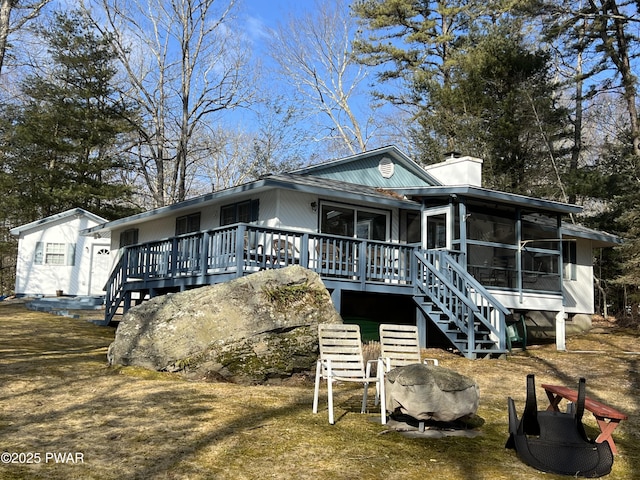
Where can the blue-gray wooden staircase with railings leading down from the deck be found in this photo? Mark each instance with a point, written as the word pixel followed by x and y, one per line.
pixel 464 311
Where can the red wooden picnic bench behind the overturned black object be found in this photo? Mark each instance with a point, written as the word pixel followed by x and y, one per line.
pixel 607 417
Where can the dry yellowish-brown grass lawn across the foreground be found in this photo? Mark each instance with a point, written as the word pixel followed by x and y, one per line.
pixel 59 396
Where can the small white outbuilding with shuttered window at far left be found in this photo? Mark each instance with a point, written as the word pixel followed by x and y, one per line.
pixel 53 258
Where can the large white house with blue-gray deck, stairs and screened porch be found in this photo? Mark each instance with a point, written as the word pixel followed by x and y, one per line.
pixel 392 240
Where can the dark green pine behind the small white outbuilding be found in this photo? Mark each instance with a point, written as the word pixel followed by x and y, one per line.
pixel 60 141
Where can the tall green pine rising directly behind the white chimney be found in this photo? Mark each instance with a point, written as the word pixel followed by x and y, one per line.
pixel 474 84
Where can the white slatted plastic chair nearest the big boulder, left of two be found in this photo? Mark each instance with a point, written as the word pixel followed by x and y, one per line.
pixel 341 360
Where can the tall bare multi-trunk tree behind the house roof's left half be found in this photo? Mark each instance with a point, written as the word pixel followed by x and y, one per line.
pixel 183 64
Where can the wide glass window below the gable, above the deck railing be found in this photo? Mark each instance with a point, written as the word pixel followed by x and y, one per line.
pixel 350 222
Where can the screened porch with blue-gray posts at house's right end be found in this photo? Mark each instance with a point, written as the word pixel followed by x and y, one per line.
pixel 511 244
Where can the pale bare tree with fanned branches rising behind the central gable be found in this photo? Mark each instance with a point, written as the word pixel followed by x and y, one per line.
pixel 314 55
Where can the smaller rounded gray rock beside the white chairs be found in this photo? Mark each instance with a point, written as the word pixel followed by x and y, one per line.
pixel 427 392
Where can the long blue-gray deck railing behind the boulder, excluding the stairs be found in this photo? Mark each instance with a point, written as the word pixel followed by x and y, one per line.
pixel 235 250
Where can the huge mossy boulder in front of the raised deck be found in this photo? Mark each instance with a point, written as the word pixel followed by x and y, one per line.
pixel 250 329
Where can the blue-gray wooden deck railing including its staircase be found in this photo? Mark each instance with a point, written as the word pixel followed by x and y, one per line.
pixel 447 295
